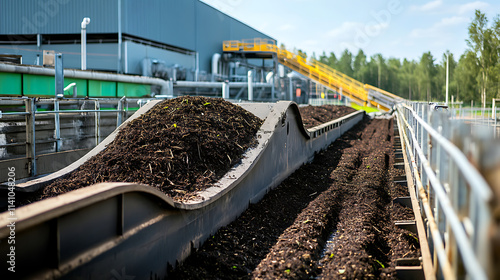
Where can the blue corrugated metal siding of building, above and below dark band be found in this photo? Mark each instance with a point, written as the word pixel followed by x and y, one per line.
pixel 188 24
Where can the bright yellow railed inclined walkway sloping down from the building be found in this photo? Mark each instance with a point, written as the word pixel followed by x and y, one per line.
pixel 314 70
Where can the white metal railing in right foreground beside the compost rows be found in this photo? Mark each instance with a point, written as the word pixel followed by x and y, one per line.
pixel 454 198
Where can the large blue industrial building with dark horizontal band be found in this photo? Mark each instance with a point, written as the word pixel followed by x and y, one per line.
pixel 151 38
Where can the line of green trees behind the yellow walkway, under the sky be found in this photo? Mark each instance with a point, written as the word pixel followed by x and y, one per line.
pixel 474 77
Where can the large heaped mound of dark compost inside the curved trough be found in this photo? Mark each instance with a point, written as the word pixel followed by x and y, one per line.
pixel 180 146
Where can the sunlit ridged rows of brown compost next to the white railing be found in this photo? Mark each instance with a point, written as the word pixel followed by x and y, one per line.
pixel 356 215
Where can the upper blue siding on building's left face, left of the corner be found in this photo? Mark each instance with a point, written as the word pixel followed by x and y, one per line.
pixel 57 16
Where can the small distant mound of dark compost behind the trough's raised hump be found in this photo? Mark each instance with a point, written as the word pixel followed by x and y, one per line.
pixel 315 115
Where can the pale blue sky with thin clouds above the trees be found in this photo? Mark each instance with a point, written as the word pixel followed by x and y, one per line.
pixel 394 28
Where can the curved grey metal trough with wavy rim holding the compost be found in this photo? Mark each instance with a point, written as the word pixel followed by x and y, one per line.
pixel 125 229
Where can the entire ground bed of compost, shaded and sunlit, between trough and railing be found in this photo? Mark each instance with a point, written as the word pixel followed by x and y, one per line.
pixel 333 219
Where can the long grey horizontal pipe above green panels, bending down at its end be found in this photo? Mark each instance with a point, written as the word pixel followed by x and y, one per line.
pixel 91 75
